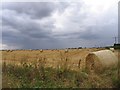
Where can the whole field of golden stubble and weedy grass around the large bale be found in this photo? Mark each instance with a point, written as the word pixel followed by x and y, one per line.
pixel 54 69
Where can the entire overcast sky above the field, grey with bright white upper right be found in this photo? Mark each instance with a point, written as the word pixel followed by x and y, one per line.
pixel 55 25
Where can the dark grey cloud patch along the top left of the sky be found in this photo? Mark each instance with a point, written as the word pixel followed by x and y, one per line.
pixel 34 10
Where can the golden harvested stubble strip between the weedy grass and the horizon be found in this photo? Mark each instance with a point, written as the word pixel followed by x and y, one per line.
pixel 52 58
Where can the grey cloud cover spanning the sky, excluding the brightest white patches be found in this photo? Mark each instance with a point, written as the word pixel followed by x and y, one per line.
pixel 29 25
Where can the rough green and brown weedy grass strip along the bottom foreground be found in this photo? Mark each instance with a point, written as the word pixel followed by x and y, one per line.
pixel 28 76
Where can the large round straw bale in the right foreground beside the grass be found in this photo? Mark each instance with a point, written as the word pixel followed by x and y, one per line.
pixel 101 60
